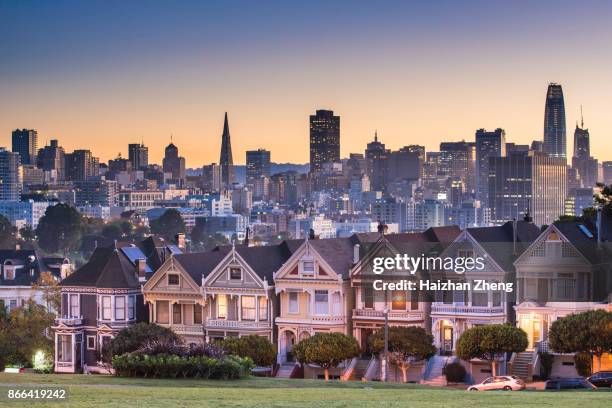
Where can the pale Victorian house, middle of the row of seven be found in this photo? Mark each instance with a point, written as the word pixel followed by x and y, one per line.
pixel 314 291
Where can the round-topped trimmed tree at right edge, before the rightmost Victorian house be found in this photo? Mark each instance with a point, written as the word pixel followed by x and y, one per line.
pixel 588 332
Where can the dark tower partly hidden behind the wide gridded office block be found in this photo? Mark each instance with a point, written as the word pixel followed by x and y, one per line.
pixel 488 144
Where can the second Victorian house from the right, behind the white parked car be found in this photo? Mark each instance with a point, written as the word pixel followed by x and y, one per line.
pixel 453 312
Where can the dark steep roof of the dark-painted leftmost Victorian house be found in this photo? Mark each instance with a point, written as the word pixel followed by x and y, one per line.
pixel 107 268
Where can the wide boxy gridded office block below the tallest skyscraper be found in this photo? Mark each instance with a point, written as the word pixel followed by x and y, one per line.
pixel 520 182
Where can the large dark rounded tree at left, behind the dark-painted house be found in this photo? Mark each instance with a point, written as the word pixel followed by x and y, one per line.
pixel 59 230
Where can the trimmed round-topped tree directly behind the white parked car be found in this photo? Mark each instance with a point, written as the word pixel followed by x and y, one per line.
pixel 490 342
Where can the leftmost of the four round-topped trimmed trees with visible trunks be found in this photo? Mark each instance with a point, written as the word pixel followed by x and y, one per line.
pixel 326 350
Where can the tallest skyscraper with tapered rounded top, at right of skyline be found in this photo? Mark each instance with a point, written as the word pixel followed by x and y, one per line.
pixel 554 122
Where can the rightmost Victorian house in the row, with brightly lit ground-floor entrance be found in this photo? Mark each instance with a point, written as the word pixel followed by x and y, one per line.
pixel 566 270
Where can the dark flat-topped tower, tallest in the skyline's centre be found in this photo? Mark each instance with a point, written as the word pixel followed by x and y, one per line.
pixel 324 139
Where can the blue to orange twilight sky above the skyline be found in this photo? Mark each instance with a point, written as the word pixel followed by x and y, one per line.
pixel 102 74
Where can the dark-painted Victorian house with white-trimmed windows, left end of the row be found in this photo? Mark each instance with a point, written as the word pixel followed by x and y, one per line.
pixel 98 300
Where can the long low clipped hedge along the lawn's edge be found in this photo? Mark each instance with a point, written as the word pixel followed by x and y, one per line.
pixel 173 366
